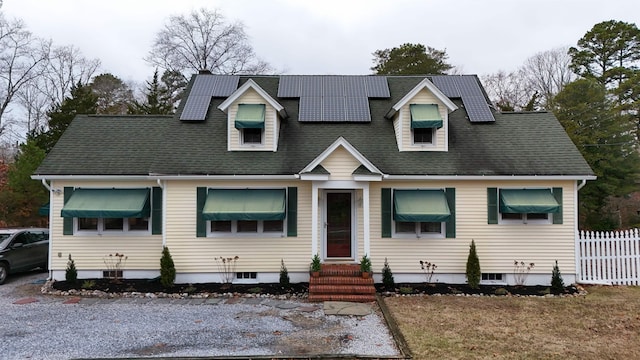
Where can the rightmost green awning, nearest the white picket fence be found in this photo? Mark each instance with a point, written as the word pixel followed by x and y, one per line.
pixel 523 201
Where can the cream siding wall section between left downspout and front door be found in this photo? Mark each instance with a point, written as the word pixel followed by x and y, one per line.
pixel 193 254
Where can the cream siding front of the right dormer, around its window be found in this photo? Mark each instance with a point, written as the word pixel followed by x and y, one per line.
pixel 402 124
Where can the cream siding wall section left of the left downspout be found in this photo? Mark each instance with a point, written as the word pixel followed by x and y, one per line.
pixel 89 251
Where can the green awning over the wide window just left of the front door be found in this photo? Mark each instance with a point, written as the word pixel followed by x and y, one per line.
pixel 244 204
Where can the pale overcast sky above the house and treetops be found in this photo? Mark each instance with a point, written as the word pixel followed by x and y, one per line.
pixel 328 36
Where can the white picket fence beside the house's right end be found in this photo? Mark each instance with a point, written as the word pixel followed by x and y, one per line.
pixel 609 257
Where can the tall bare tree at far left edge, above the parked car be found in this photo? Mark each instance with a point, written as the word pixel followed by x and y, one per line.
pixel 22 58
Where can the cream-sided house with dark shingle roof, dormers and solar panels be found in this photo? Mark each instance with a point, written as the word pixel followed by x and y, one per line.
pixel 282 167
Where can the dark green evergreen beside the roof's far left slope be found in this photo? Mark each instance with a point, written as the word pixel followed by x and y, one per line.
pixel 81 101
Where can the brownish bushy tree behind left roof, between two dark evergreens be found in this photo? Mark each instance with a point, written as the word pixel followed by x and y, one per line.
pixel 114 96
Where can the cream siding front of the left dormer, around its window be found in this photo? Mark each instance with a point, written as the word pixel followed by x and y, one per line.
pixel 271 115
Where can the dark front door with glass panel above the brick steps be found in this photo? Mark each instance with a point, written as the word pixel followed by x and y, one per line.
pixel 339 228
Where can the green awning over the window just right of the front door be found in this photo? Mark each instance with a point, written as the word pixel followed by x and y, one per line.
pixel 420 206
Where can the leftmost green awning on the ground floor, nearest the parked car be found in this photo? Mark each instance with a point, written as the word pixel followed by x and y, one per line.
pixel 108 203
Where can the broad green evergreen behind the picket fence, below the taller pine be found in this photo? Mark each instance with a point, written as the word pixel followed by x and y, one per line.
pixel 606 142
